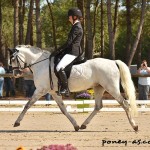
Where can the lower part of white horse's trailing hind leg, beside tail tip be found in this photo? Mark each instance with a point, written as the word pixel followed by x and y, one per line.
pixel 125 106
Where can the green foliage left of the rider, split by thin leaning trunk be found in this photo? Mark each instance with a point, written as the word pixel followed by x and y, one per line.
pixel 60 11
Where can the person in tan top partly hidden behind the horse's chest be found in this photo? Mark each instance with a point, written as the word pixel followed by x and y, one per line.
pixel 28 83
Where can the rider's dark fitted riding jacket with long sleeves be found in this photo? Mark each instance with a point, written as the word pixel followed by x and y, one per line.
pixel 72 45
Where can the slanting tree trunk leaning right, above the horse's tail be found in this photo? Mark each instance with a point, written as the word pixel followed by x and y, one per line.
pixel 135 44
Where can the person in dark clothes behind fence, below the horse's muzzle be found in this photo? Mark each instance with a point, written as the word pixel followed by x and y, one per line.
pixel 8 84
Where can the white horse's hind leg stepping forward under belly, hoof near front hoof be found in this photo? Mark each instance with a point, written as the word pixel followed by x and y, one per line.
pixel 98 93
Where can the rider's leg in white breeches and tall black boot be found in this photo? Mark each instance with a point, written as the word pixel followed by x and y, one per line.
pixel 67 59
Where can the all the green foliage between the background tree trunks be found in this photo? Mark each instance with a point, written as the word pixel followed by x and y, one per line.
pixel 60 9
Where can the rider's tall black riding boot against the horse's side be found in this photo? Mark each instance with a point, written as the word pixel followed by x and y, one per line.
pixel 64 90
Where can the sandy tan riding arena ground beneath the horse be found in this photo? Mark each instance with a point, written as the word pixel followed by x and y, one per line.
pixel 38 129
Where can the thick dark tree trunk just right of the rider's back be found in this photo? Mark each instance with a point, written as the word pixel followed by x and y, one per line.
pixel 89 39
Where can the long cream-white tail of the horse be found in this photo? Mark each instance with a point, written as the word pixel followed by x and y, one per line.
pixel 128 86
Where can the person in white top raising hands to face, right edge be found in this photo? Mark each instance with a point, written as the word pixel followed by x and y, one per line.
pixel 144 82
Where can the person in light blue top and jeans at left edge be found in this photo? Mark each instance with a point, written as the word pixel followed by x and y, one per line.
pixel 2 71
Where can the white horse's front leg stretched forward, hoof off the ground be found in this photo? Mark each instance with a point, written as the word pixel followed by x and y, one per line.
pixel 34 98
